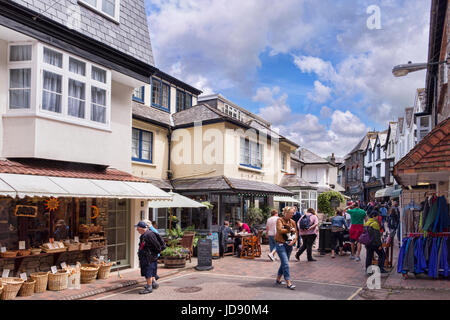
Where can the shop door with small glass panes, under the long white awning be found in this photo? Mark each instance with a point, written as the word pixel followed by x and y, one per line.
pixel 118 232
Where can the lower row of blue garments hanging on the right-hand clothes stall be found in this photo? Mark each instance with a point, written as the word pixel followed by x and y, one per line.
pixel 425 255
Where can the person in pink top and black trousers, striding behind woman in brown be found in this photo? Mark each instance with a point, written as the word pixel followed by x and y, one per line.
pixel 308 233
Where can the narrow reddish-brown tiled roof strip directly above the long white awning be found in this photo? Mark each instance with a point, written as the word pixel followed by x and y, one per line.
pixel 64 169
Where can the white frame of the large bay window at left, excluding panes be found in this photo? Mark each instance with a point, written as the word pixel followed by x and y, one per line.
pixel 38 66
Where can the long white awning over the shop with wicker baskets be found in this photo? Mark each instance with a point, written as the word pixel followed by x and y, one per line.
pixel 22 185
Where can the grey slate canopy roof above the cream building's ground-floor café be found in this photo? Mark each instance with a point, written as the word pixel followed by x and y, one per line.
pixel 222 183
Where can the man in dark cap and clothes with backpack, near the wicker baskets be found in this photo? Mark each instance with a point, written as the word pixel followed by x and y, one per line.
pixel 150 246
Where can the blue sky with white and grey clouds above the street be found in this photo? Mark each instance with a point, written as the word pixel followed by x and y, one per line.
pixel 319 71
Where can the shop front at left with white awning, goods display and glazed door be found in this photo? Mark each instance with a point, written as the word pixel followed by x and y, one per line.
pixel 47 220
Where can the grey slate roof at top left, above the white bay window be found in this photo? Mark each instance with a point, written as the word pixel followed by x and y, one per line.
pixel 132 21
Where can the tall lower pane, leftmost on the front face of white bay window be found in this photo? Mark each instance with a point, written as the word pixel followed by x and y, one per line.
pixel 52 89
